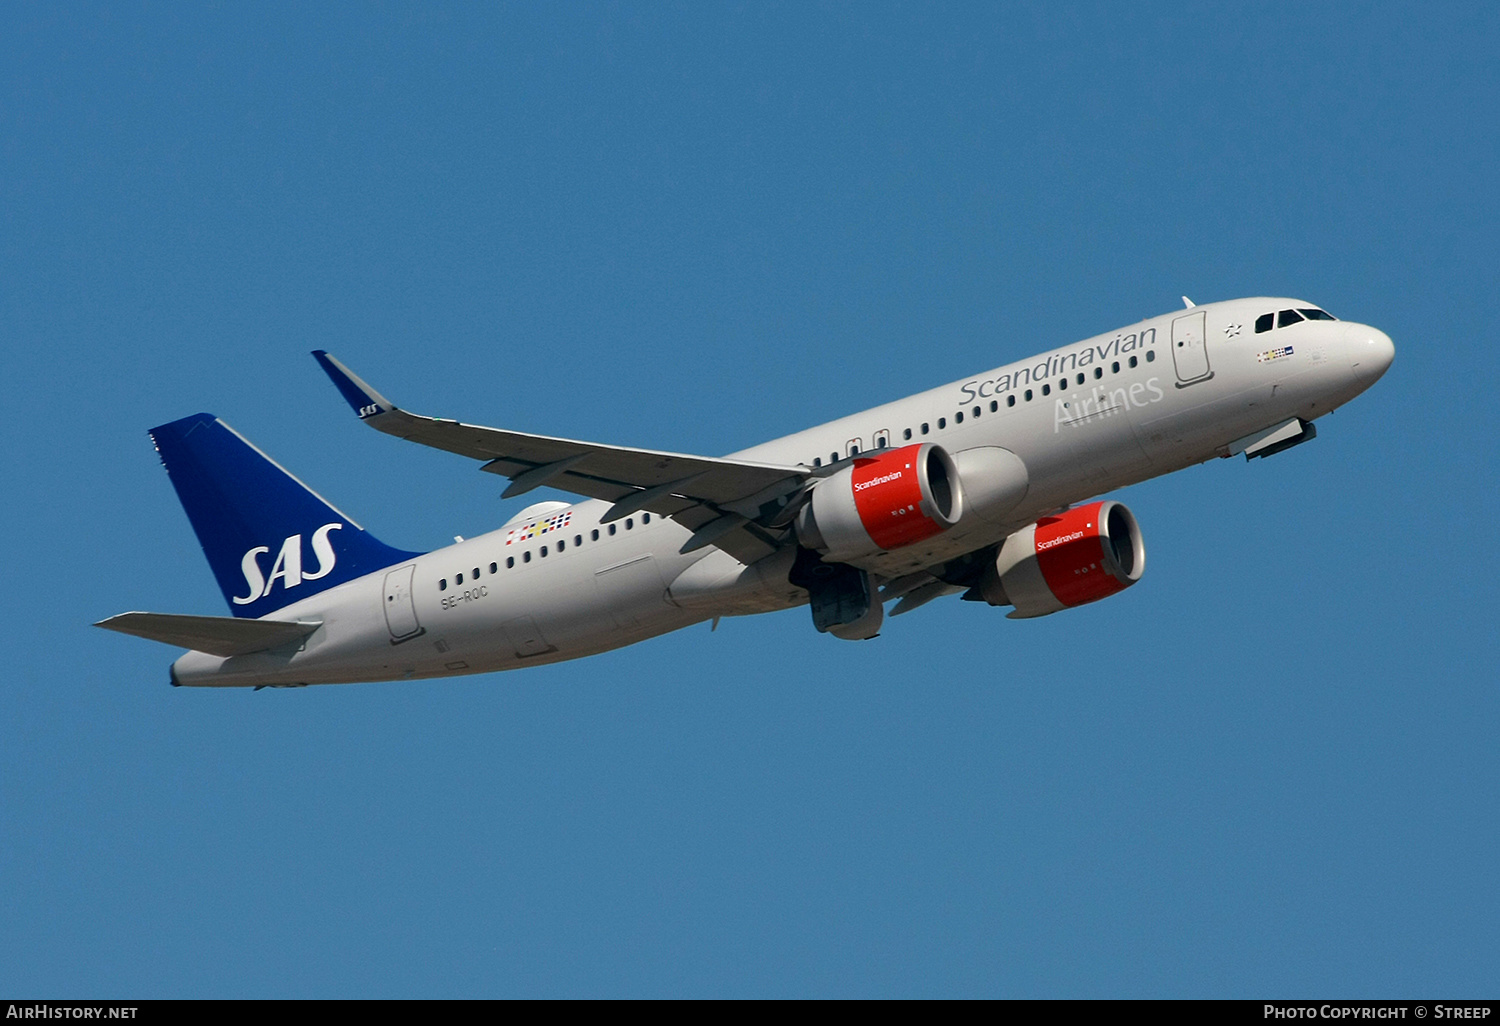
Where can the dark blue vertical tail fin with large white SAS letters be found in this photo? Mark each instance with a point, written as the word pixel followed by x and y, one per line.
pixel 269 538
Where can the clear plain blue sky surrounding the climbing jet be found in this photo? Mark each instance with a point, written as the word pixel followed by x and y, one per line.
pixel 1267 770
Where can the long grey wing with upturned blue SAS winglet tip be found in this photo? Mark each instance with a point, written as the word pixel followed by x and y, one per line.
pixel 739 506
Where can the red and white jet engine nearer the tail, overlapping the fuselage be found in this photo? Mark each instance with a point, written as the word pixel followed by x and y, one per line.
pixel 884 502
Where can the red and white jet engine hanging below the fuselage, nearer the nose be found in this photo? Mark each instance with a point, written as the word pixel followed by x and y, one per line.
pixel 1069 560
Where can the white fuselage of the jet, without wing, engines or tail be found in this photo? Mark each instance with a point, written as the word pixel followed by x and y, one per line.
pixel 1154 398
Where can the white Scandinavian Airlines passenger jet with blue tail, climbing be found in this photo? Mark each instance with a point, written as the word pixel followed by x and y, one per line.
pixel 985 488
